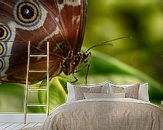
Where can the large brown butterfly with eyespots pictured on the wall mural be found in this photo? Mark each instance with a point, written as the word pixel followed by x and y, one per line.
pixel 60 22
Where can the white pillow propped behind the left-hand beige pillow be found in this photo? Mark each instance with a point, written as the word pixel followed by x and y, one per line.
pixel 71 93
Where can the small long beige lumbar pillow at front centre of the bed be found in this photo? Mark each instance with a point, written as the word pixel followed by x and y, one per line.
pixel 104 95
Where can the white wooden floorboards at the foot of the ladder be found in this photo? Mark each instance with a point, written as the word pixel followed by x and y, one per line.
pixel 17 126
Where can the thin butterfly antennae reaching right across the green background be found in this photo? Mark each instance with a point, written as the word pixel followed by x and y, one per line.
pixel 107 43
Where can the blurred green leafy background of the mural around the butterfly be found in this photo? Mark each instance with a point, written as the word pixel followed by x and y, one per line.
pixel 129 61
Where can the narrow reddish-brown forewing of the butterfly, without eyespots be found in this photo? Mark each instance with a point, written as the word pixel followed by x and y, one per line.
pixel 73 18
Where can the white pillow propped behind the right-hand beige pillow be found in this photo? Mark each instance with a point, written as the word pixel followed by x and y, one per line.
pixel 143 90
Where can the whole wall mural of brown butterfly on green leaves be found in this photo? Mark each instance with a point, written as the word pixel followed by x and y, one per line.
pixel 131 60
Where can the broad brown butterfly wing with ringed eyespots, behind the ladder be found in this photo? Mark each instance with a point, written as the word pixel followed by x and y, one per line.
pixel 18 26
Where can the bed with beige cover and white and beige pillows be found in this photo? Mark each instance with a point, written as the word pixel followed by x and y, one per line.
pixel 102 109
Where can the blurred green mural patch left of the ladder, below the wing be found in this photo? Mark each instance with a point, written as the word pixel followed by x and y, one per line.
pixel 11 98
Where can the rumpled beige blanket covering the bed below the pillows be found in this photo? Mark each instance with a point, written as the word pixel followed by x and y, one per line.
pixel 106 114
